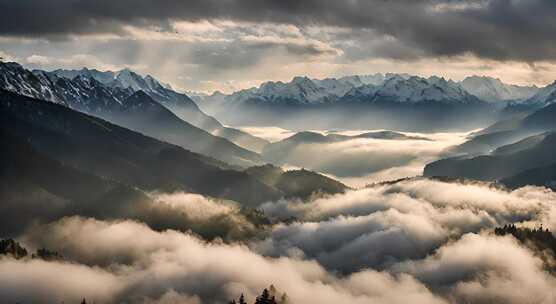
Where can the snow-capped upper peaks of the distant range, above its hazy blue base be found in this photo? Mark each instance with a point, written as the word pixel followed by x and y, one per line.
pixel 401 87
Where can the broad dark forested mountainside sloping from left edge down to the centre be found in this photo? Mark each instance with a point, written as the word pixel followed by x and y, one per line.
pixel 62 145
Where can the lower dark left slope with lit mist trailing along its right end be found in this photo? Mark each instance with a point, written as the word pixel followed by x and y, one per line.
pixel 37 189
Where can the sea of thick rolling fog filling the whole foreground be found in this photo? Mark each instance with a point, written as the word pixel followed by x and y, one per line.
pixel 416 241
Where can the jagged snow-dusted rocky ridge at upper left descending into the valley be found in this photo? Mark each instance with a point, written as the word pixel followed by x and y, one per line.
pixel 86 94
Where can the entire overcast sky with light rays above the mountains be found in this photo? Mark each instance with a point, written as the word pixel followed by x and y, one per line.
pixel 206 45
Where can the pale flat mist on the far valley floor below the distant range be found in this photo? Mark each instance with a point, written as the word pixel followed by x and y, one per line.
pixel 361 161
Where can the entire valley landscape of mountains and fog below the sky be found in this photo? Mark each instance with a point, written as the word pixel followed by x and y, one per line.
pixel 116 178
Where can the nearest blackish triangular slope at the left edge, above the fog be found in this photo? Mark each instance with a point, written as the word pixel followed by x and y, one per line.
pixel 36 188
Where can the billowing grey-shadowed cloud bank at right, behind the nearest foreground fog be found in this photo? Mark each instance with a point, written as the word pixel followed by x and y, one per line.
pixel 385 224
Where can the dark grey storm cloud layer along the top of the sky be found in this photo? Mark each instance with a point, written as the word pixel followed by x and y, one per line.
pixel 495 29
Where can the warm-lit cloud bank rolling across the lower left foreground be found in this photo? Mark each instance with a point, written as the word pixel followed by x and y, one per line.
pixel 163 265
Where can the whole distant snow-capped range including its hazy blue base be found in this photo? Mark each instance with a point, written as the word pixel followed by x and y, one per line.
pixel 389 101
